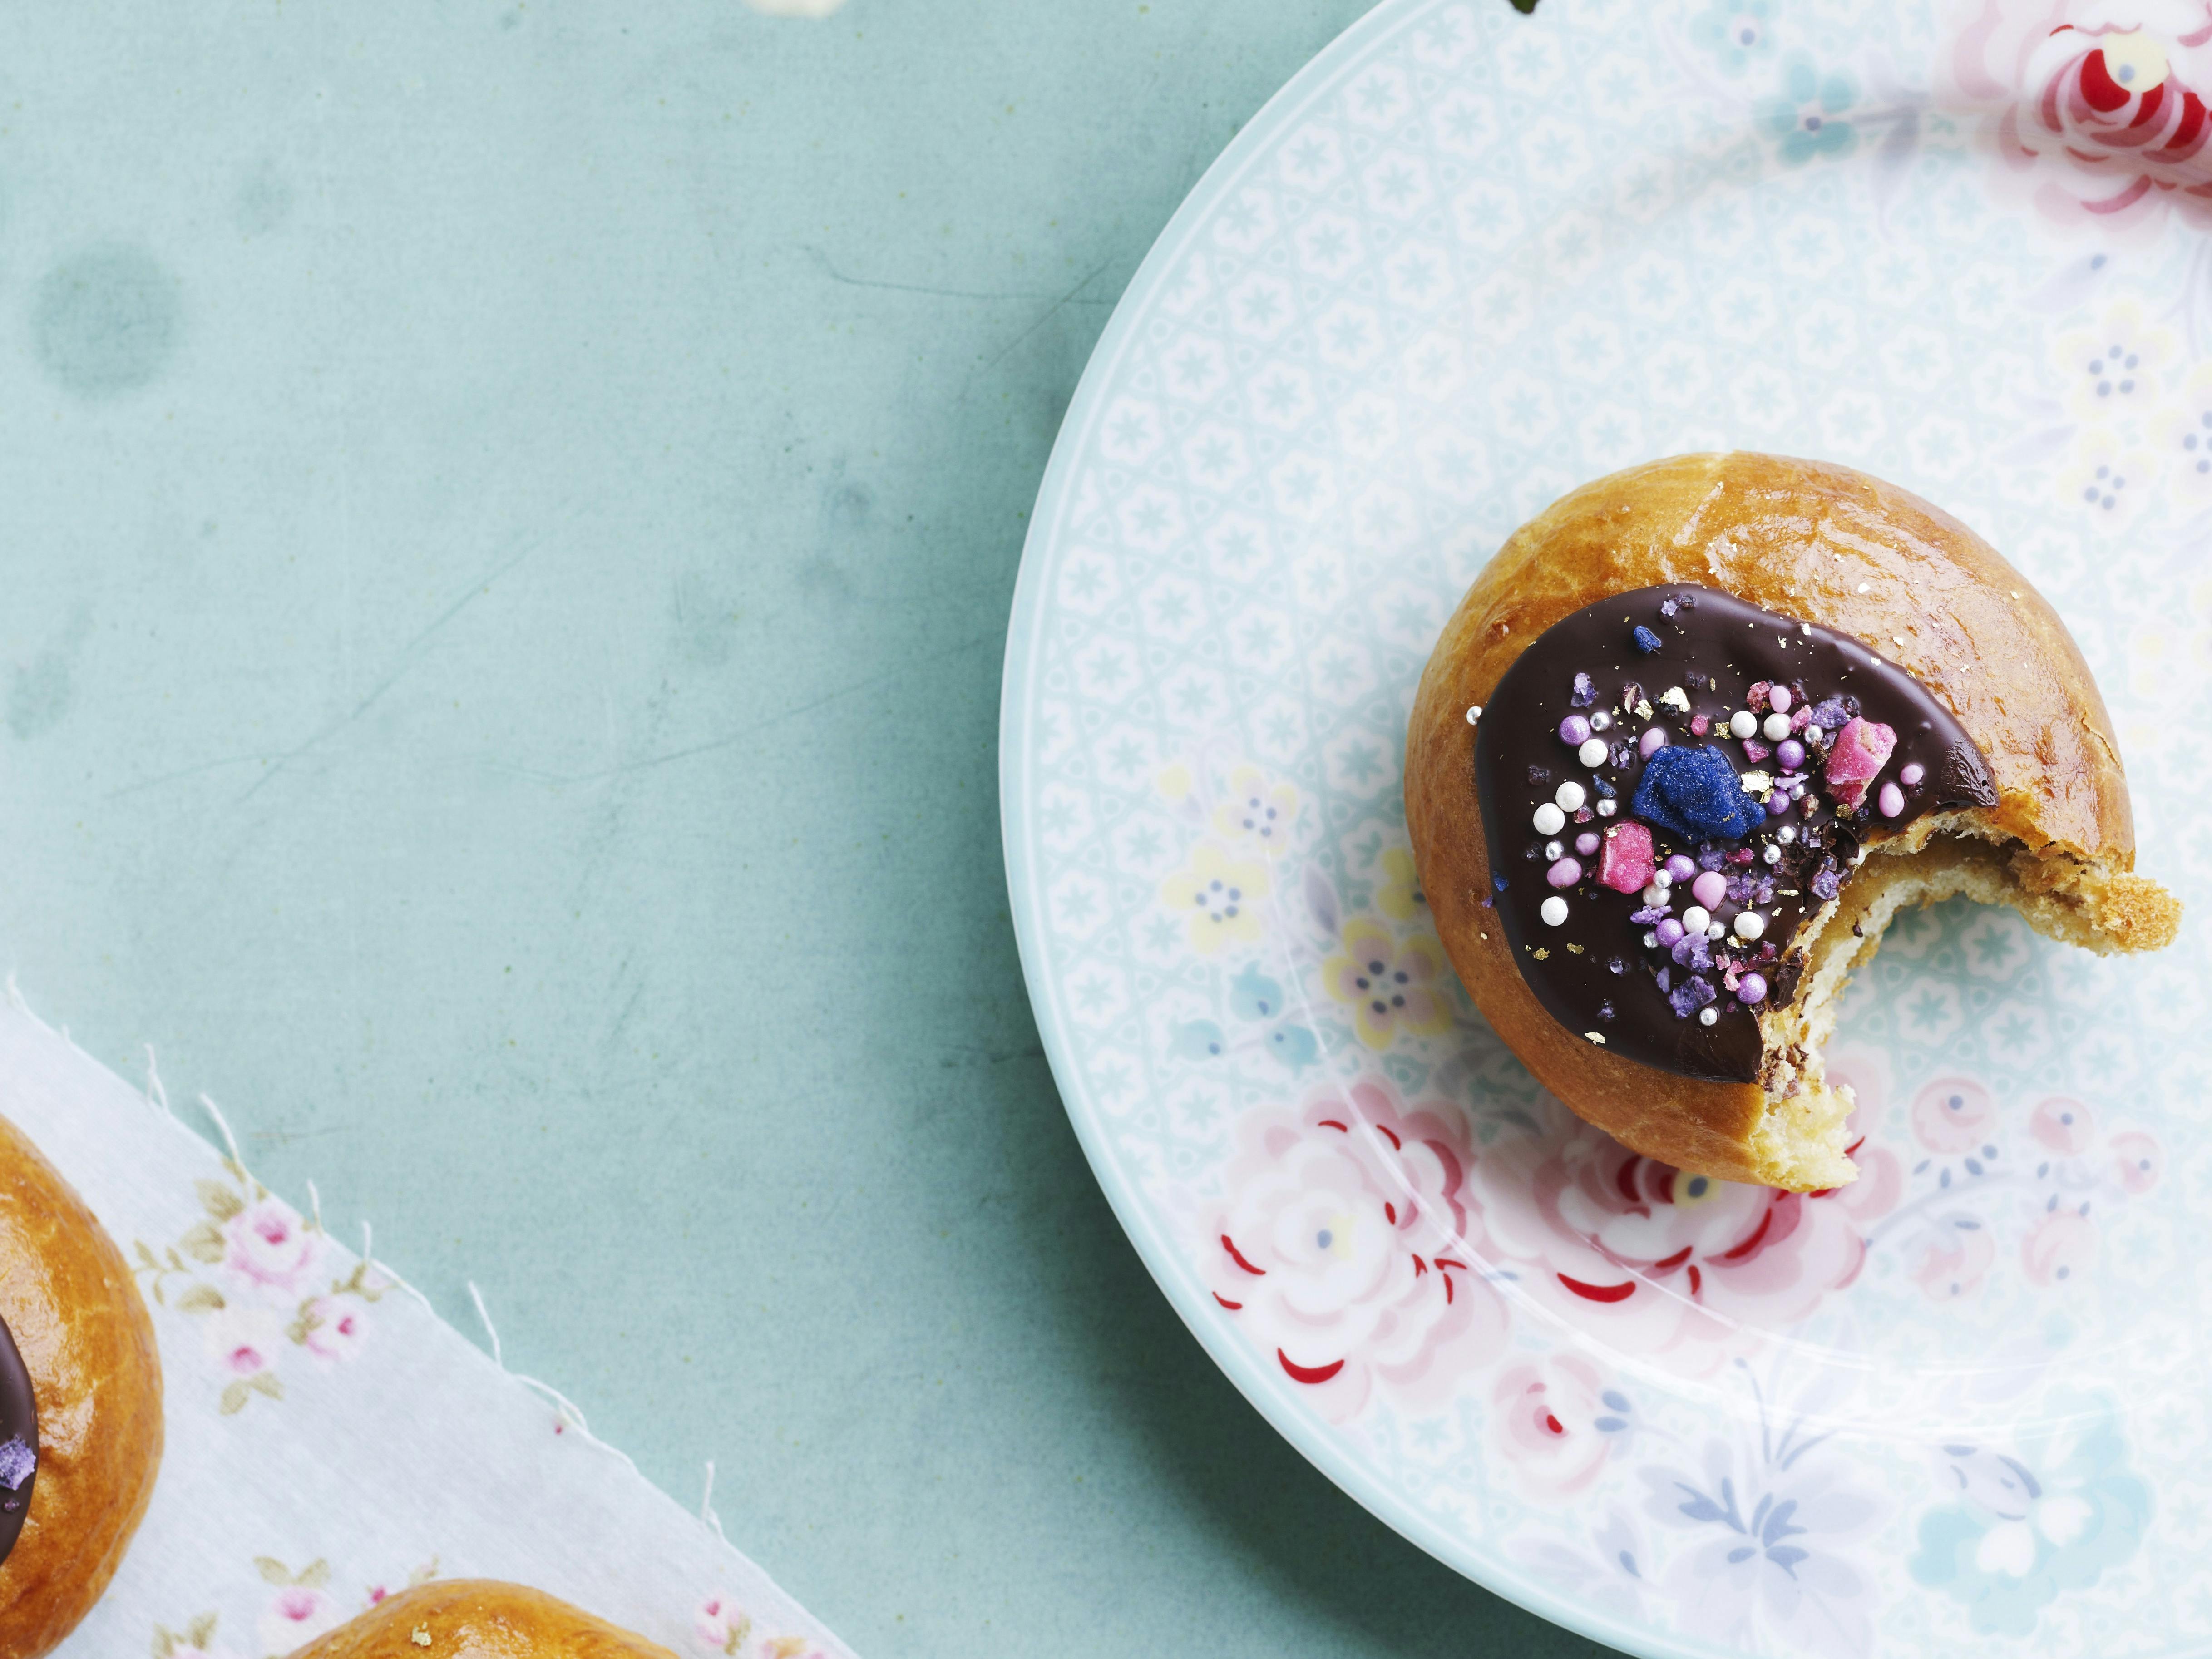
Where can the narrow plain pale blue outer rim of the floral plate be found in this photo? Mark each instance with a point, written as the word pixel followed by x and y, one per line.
pixel 1315 1441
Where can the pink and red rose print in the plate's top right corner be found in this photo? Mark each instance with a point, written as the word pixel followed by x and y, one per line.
pixel 2096 105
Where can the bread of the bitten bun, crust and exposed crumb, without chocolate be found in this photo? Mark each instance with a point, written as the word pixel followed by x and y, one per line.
pixel 1850 554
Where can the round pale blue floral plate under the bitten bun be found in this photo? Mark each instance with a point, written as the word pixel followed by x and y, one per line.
pixel 1465 262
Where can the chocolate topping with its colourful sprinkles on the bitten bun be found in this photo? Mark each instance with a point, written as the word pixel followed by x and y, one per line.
pixel 1678 660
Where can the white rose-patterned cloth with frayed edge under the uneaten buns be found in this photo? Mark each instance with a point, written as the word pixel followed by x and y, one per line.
pixel 331 1439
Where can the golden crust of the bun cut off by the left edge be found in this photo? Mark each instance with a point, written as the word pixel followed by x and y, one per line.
pixel 85 1337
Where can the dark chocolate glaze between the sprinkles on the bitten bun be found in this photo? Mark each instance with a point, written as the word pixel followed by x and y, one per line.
pixel 1596 972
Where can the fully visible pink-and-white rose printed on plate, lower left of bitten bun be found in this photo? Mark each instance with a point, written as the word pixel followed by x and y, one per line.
pixel 1342 1249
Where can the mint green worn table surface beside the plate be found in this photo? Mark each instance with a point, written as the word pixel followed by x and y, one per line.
pixel 510 521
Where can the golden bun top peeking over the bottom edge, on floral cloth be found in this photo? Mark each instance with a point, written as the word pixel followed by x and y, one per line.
pixel 479 1620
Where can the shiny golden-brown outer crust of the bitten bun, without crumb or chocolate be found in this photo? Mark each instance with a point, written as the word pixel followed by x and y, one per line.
pixel 1797 539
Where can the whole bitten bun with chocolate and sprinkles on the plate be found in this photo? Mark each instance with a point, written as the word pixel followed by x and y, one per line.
pixel 1689 744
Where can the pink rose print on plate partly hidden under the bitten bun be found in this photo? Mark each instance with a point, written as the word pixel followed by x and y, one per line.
pixel 1656 1260
